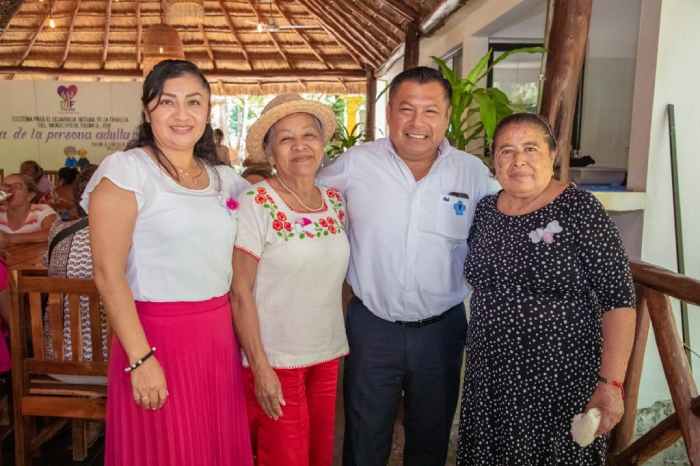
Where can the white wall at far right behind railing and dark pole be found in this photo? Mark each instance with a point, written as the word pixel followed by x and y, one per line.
pixel 677 70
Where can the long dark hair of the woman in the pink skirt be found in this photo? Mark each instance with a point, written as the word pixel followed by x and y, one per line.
pixel 204 149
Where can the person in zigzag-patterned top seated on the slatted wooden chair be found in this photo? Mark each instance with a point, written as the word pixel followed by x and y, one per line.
pixel 69 256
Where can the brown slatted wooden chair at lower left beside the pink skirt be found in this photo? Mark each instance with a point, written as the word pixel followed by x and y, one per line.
pixel 35 392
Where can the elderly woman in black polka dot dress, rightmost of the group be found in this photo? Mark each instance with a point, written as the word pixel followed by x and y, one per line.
pixel 552 319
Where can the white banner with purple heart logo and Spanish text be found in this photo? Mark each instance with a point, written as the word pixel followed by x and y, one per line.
pixel 48 121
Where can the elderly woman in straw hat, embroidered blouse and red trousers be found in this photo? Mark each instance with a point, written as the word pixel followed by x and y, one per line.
pixel 291 257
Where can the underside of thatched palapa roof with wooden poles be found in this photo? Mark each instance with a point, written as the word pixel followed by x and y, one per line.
pixel 244 46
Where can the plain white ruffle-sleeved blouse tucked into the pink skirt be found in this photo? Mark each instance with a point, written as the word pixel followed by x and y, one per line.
pixel 183 238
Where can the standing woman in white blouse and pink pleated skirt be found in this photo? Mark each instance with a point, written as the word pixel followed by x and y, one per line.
pixel 163 221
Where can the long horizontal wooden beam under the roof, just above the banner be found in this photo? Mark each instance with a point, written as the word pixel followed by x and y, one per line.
pixel 213 75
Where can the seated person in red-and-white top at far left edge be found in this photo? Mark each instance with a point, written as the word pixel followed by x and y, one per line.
pixel 21 221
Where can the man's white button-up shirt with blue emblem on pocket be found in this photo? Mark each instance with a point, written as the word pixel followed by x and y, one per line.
pixel 407 237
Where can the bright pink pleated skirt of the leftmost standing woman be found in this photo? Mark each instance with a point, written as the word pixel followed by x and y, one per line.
pixel 203 422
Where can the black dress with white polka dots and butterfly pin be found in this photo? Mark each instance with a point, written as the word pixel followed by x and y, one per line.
pixel 541 284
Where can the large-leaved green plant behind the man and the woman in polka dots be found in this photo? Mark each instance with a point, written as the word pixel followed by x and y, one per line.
pixel 476 109
